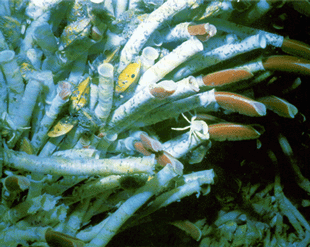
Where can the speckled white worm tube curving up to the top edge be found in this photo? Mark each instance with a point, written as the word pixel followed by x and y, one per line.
pixel 148 26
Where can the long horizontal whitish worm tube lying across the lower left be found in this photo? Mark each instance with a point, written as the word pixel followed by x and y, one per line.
pixel 71 167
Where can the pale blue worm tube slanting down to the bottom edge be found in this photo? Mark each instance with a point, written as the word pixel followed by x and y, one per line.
pixel 128 208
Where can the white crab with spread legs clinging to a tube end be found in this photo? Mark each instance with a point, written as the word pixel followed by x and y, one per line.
pixel 198 129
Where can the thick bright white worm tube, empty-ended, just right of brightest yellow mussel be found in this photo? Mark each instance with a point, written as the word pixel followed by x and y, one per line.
pixel 170 62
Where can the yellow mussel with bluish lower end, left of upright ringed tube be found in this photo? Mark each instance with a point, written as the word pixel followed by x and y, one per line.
pixel 80 95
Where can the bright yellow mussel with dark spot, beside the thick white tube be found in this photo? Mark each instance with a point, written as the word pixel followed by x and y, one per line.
pixel 128 76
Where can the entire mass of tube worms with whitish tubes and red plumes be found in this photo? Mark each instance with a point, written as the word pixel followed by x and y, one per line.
pixel 94 95
